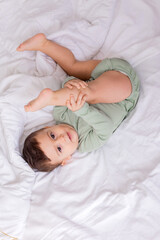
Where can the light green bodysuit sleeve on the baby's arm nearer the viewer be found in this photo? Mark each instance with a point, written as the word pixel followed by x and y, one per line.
pixel 101 128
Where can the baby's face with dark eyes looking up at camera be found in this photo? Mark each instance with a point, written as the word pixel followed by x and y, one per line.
pixel 58 142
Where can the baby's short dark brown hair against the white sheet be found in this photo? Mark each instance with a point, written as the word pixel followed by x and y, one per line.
pixel 34 156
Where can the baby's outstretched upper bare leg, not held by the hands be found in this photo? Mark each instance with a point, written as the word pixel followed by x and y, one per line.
pixel 63 56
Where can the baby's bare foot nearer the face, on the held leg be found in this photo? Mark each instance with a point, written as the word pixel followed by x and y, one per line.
pixel 44 99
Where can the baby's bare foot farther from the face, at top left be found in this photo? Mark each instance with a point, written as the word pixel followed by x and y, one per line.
pixel 33 44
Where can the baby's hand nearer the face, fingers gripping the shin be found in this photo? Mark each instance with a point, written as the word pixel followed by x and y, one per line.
pixel 74 105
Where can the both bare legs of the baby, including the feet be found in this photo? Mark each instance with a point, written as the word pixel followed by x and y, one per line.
pixel 110 87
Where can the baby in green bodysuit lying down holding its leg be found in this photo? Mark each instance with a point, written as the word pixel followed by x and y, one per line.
pixel 88 108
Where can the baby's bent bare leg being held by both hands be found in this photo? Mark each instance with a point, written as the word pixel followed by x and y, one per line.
pixel 110 87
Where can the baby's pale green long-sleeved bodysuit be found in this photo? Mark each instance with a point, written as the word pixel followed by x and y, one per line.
pixel 95 123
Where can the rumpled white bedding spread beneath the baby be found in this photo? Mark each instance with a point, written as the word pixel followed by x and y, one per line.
pixel 112 193
